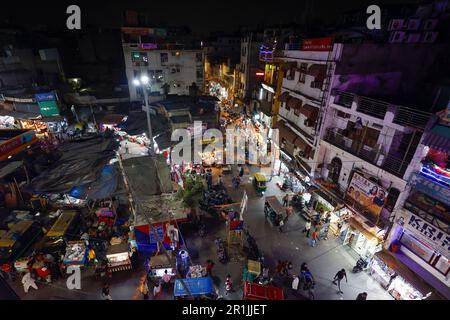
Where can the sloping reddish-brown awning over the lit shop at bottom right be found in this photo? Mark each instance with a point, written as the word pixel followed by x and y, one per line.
pixel 406 273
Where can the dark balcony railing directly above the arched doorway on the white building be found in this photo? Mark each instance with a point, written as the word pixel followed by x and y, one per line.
pixel 354 147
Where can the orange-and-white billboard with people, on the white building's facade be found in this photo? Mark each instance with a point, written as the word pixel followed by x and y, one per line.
pixel 366 193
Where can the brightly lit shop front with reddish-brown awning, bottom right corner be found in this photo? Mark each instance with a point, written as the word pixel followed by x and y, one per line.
pixel 397 279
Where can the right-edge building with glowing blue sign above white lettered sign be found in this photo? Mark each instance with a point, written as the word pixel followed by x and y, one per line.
pixel 420 236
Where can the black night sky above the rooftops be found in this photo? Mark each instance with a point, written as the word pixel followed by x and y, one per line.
pixel 200 15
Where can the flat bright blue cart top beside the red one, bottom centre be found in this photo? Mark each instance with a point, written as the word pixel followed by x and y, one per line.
pixel 193 287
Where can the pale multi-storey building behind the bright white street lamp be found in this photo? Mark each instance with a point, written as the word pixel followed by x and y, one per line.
pixel 172 67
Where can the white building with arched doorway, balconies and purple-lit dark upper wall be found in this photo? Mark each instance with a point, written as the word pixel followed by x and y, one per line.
pixel 377 112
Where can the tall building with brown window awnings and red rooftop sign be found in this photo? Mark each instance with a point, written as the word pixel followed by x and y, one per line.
pixel 302 100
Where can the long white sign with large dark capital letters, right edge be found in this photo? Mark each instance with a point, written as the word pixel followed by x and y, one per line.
pixel 425 232
